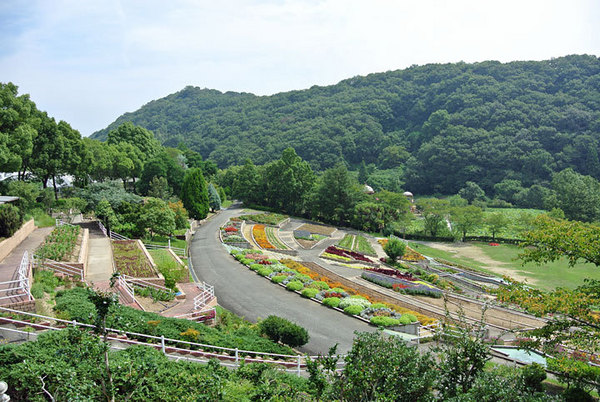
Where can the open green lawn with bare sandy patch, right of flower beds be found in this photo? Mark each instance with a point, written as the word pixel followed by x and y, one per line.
pixel 547 276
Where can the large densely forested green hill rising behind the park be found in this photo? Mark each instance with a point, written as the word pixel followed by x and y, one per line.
pixel 444 124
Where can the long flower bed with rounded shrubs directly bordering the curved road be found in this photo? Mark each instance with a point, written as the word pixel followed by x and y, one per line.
pixel 295 276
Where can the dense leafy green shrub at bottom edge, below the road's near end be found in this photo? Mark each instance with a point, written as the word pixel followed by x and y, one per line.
pixel 384 368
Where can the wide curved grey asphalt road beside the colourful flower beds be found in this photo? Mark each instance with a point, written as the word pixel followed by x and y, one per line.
pixel 245 293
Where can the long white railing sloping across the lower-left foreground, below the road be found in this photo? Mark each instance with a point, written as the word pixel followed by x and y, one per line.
pixel 190 351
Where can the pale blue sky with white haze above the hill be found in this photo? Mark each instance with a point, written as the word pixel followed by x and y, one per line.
pixel 87 62
